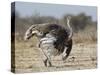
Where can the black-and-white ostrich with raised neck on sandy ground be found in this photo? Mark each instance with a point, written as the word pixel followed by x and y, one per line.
pixel 53 39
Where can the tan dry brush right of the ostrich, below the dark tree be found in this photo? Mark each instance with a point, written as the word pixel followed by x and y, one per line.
pixel 88 35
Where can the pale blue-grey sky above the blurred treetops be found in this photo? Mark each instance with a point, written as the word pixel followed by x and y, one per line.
pixel 56 10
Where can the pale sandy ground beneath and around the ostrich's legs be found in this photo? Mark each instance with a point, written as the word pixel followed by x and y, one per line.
pixel 28 58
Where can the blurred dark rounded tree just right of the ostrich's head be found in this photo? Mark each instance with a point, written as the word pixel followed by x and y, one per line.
pixel 80 21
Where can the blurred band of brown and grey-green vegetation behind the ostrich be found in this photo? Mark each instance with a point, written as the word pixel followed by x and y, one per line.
pixel 84 27
